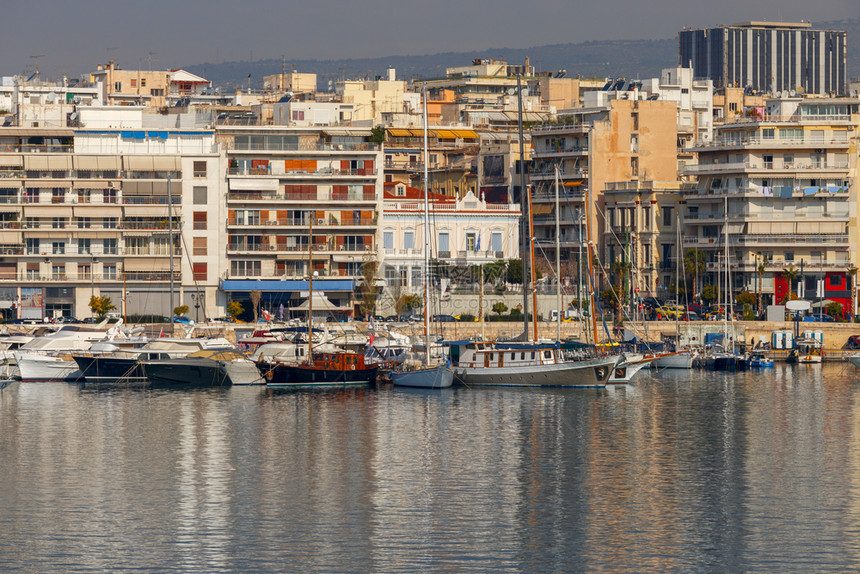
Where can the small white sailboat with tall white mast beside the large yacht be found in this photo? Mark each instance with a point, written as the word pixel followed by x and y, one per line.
pixel 427 375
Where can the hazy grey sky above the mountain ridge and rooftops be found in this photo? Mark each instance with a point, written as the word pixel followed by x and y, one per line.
pixel 73 37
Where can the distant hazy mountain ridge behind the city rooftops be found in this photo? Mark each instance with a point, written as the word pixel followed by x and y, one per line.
pixel 602 58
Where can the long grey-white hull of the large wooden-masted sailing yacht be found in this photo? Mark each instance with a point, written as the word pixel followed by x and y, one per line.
pixel 575 374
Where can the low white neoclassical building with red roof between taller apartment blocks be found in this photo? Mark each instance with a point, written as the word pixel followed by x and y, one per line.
pixel 465 231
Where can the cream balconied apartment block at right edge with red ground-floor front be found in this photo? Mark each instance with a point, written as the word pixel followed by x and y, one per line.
pixel 786 176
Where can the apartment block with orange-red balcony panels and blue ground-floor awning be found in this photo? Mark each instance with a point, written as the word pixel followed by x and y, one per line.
pixel 294 196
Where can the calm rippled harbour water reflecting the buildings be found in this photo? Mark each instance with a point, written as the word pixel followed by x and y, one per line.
pixel 677 472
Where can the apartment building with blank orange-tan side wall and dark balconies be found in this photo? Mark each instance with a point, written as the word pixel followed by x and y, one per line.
pixel 611 140
